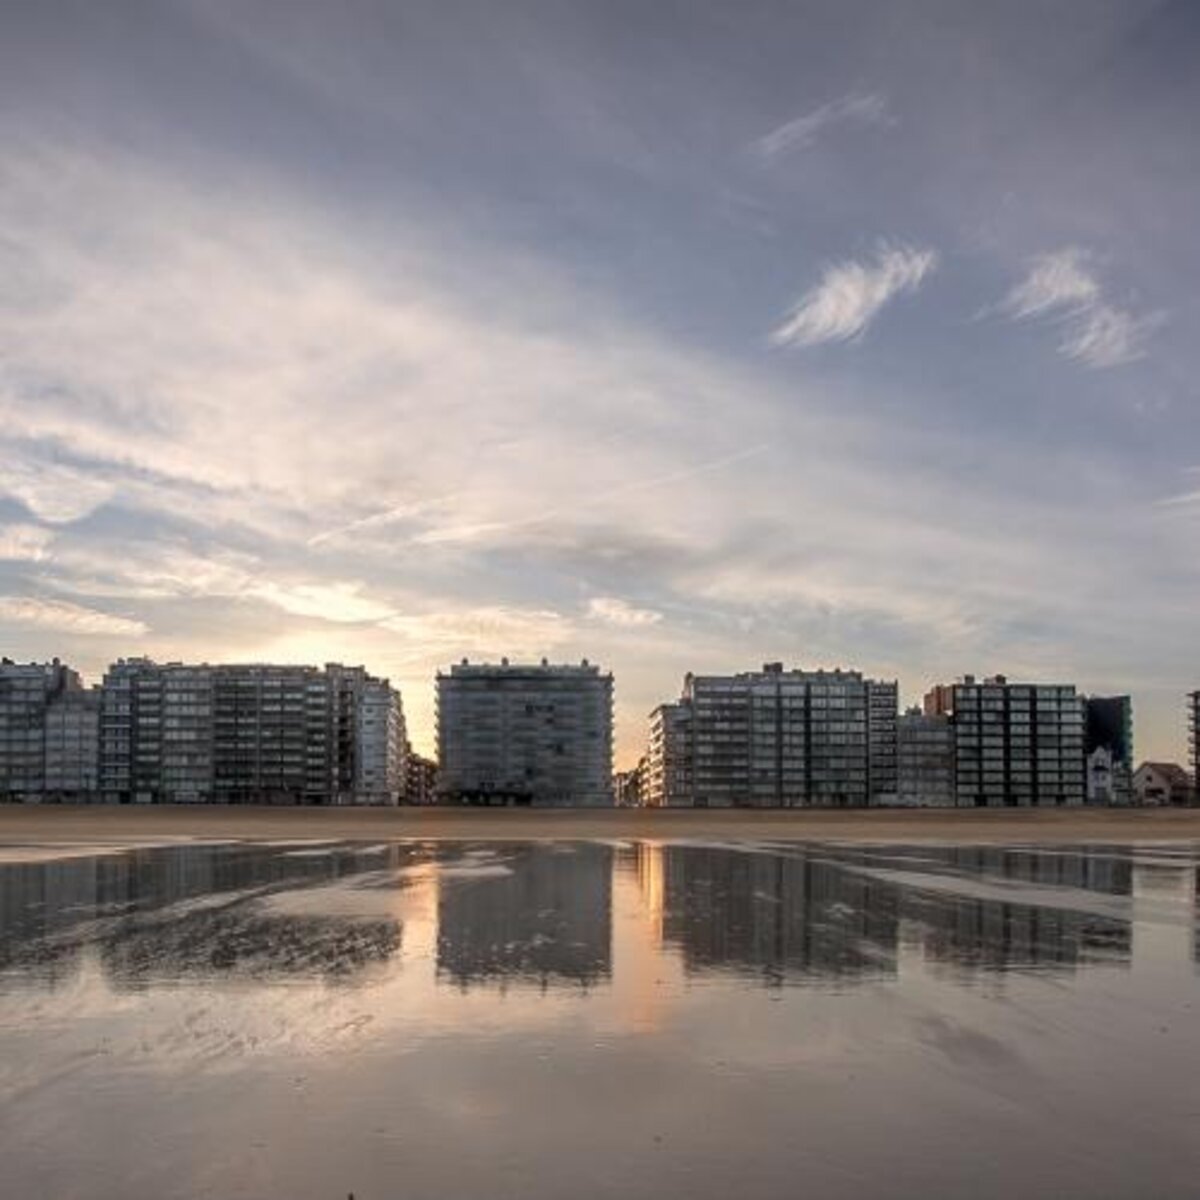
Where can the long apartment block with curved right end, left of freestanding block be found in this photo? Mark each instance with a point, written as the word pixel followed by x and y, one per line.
pixel 255 734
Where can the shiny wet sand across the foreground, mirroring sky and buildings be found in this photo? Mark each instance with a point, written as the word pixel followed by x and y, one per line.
pixel 313 1021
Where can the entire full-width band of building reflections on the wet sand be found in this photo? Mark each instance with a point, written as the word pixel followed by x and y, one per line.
pixel 543 915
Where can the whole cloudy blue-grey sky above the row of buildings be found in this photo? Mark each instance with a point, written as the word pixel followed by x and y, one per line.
pixel 674 337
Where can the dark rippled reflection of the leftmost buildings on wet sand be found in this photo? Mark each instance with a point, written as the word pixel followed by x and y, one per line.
pixel 173 914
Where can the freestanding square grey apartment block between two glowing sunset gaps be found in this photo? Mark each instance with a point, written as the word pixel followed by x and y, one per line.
pixel 525 735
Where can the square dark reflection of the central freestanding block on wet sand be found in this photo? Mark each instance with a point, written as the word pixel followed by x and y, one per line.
pixel 548 920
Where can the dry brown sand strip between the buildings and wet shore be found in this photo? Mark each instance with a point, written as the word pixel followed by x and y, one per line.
pixel 25 826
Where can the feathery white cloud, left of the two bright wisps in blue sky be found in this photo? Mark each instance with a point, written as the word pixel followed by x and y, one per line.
pixel 851 295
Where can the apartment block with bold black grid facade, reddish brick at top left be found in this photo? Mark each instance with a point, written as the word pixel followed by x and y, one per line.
pixel 1015 745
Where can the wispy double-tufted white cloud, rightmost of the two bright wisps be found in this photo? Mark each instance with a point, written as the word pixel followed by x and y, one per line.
pixel 1063 286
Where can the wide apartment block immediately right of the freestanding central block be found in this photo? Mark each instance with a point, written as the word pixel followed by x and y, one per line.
pixel 776 739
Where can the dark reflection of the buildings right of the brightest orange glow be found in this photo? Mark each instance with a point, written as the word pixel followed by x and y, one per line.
pixel 829 916
